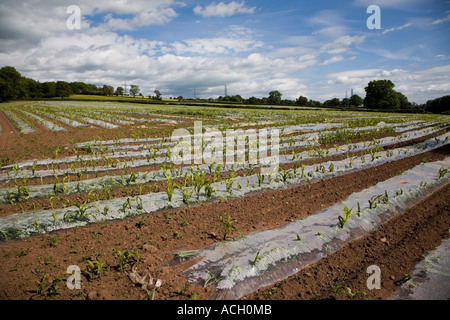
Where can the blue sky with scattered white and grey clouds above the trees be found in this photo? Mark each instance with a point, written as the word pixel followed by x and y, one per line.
pixel 318 49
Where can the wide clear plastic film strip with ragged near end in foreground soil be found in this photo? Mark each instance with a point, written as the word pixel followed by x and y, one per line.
pixel 259 259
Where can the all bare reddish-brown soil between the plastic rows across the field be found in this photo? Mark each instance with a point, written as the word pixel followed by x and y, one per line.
pixel 117 258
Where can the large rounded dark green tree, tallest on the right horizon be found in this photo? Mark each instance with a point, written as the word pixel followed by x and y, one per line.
pixel 380 94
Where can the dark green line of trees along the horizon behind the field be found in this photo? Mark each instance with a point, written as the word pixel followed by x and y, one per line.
pixel 380 95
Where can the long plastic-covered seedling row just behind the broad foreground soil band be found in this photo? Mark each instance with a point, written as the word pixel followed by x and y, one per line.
pixel 196 188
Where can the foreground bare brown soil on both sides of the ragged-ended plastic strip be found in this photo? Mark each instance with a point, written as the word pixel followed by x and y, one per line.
pixel 158 236
